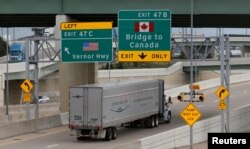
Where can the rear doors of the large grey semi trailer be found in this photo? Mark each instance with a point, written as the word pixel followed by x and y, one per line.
pixel 82 101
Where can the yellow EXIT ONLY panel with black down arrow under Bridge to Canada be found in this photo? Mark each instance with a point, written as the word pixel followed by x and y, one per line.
pixel 144 56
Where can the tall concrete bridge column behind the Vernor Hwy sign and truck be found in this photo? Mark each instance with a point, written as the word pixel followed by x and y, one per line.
pixel 72 73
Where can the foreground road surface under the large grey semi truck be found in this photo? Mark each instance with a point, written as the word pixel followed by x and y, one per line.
pixel 59 138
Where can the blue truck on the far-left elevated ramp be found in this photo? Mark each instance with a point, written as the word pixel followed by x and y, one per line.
pixel 16 52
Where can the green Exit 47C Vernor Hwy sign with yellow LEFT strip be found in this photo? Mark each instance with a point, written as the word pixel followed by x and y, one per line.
pixel 86 42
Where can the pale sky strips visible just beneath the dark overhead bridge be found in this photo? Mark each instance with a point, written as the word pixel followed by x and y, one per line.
pixel 19 32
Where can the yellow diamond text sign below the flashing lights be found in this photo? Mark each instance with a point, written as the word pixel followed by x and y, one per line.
pixel 190 114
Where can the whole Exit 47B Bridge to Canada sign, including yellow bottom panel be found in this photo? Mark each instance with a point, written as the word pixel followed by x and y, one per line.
pixel 144 36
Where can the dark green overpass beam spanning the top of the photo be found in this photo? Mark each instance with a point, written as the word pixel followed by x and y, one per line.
pixel 207 13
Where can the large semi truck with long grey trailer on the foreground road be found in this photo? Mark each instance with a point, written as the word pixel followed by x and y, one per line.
pixel 97 110
